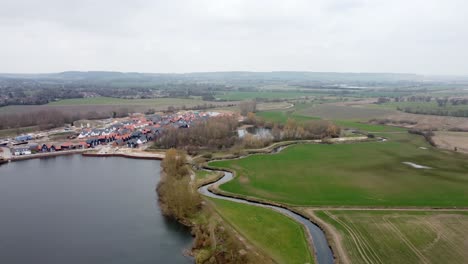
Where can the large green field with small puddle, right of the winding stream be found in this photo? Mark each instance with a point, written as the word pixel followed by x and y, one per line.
pixel 360 174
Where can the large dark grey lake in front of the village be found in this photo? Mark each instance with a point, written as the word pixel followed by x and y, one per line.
pixel 73 209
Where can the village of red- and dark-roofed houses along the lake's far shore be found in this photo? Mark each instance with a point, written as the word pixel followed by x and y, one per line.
pixel 132 132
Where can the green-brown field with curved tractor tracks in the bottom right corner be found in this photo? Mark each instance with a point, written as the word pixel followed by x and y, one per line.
pixel 401 236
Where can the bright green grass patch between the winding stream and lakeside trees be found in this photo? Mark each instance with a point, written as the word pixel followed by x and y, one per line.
pixel 279 236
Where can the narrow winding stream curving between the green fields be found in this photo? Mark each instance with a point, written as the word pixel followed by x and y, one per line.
pixel 320 245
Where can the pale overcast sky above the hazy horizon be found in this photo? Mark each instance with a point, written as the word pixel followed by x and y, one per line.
pixel 405 36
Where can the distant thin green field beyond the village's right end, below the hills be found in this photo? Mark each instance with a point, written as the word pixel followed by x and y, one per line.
pixel 237 95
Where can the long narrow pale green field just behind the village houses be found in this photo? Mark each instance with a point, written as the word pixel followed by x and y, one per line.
pixel 120 101
